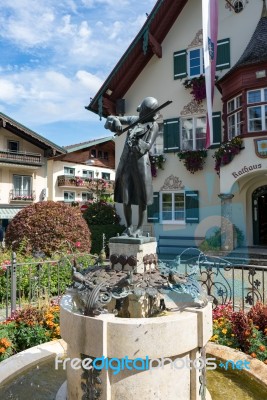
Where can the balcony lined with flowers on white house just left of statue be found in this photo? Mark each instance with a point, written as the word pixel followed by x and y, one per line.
pixel 89 184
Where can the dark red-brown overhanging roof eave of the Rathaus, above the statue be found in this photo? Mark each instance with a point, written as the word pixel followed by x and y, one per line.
pixel 146 44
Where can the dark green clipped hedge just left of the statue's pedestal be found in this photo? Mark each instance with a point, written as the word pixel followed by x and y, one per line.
pixel 97 232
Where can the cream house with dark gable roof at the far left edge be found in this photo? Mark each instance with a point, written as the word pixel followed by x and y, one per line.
pixel 23 167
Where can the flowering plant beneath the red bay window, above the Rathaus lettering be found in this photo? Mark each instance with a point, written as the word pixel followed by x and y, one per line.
pixel 226 152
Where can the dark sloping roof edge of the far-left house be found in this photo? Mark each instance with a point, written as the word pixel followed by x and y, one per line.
pixel 26 133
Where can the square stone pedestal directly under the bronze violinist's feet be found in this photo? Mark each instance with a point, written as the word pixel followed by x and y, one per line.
pixel 128 253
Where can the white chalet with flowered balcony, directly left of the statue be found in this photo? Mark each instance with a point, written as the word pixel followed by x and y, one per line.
pixel 86 168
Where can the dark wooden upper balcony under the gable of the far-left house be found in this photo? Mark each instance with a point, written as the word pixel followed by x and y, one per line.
pixel 21 157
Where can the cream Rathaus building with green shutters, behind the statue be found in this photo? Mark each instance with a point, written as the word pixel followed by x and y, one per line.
pixel 165 61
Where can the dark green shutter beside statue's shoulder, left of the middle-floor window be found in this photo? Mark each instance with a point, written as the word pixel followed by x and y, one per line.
pixel 171 135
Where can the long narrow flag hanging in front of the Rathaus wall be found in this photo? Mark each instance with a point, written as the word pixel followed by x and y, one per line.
pixel 210 33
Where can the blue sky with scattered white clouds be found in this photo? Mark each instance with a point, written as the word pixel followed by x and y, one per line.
pixel 55 55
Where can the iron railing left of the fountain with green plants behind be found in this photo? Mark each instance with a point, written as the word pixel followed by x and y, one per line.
pixel 29 283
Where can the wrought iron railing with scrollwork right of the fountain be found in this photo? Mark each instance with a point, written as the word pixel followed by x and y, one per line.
pixel 227 281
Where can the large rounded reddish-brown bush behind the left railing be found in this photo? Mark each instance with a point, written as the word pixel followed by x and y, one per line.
pixel 47 227
